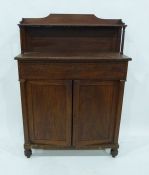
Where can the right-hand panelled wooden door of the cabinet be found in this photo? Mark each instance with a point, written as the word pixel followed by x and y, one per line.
pixel 94 112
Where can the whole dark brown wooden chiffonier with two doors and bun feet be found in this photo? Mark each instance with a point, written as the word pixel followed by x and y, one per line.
pixel 72 73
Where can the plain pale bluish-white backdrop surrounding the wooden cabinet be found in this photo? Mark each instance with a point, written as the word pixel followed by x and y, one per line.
pixel 134 134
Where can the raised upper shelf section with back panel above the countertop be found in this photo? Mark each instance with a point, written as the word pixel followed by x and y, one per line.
pixel 71 33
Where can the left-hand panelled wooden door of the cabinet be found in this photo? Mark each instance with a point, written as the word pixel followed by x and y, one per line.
pixel 50 112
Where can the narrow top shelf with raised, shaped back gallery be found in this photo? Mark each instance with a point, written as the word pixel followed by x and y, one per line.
pixel 71 20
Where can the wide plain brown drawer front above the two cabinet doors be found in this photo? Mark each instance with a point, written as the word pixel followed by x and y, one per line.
pixel 106 71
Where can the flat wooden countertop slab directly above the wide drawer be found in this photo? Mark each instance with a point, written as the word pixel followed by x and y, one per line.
pixel 91 57
